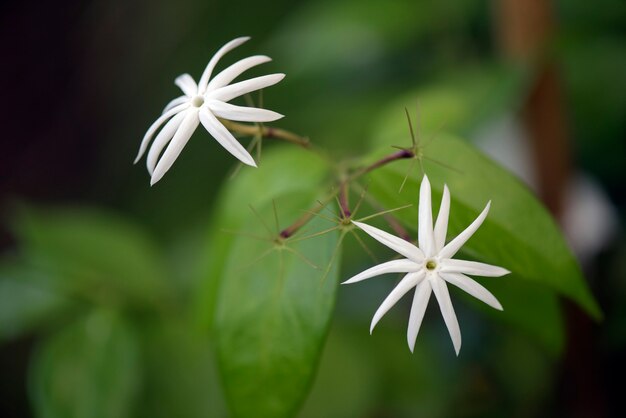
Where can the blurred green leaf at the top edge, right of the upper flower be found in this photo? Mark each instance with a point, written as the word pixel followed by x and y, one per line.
pixel 350 34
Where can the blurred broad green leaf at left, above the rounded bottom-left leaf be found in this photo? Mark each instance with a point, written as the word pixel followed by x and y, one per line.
pixel 94 254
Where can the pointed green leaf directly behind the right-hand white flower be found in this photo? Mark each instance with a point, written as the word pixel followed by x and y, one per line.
pixel 518 234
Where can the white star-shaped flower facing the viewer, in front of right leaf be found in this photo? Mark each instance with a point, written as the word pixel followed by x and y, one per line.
pixel 430 266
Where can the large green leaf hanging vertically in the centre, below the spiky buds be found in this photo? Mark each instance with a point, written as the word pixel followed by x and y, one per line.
pixel 275 297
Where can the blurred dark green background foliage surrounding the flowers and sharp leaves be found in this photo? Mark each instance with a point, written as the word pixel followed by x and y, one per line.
pixel 100 271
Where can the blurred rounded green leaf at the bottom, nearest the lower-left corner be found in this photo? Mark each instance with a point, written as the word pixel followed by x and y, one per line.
pixel 88 370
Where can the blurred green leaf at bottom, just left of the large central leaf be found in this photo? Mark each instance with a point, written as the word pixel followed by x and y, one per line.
pixel 180 379
